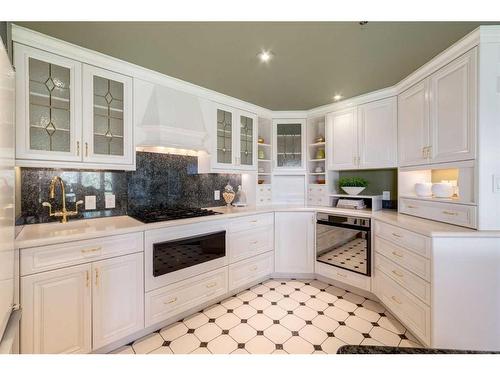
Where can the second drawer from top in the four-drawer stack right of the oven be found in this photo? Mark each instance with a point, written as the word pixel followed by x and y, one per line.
pixel 407 259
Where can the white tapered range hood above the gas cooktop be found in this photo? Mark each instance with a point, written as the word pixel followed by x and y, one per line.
pixel 165 117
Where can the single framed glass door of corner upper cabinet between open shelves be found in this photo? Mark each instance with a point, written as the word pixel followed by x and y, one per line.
pixel 289 146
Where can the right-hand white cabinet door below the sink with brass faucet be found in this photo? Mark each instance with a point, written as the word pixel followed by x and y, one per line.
pixel 118 298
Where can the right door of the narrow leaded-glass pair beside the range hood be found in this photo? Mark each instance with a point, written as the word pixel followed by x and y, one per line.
pixel 247 158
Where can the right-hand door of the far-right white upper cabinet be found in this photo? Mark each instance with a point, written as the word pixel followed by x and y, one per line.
pixel 453 113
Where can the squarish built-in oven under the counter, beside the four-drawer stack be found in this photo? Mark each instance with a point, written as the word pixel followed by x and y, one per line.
pixel 344 241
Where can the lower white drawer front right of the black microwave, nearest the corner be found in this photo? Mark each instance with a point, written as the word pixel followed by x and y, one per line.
pixel 247 271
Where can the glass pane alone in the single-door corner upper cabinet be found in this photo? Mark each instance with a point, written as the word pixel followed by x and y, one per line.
pixel 289 145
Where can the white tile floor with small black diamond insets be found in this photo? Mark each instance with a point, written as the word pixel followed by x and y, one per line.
pixel 279 317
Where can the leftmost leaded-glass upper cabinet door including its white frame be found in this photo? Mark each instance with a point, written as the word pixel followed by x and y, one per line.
pixel 48 106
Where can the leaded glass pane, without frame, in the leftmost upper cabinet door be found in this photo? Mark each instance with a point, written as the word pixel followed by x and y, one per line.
pixel 49 106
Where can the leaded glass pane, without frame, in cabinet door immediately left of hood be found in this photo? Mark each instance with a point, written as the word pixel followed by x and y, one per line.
pixel 108 117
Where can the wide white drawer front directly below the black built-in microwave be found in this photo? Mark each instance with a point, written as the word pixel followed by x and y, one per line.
pixel 174 299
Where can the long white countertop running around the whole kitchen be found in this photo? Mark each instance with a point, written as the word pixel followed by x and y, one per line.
pixel 52 233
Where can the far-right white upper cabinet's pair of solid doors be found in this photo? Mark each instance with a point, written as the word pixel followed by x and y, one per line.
pixel 437 116
